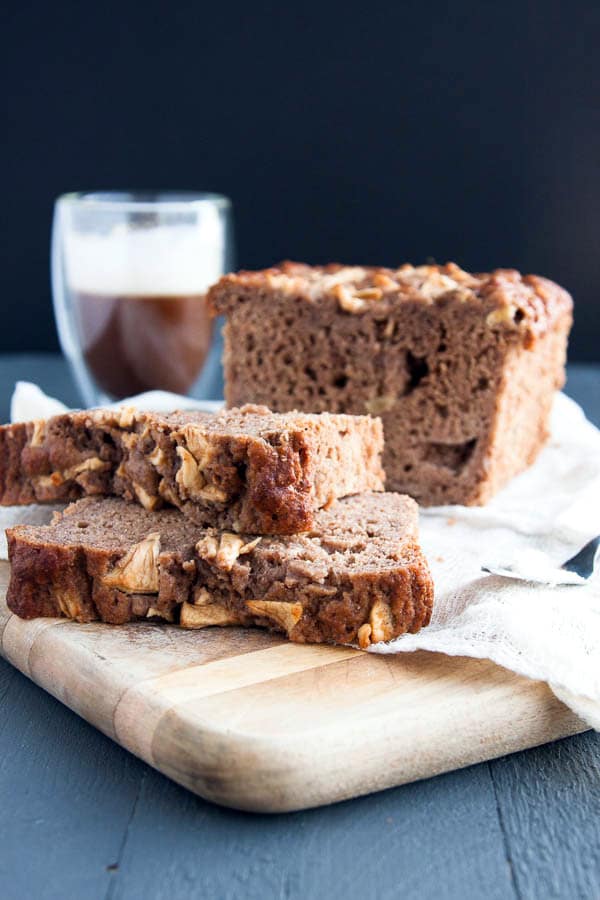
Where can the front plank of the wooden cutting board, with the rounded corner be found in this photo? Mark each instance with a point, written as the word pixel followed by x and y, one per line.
pixel 358 725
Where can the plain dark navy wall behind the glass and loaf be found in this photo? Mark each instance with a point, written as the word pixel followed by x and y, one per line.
pixel 372 132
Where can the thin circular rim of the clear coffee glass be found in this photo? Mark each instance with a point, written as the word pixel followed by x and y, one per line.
pixel 143 200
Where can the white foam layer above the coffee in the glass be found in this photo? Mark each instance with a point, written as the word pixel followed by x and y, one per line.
pixel 158 261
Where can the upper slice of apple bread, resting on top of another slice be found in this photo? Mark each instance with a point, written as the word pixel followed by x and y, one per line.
pixel 247 470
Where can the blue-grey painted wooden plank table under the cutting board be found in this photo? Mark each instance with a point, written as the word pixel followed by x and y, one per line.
pixel 82 818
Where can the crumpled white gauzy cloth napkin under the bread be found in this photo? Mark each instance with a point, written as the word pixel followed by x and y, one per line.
pixel 546 633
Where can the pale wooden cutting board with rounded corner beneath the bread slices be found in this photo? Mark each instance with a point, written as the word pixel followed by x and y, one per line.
pixel 246 719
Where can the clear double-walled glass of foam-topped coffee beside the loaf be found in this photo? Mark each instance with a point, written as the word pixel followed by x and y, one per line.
pixel 129 276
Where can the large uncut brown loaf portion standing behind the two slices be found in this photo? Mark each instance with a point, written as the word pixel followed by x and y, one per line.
pixel 461 368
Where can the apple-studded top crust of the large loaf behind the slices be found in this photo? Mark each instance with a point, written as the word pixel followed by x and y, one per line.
pixel 528 304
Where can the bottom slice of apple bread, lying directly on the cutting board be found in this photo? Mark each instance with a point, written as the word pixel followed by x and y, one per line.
pixel 357 577
